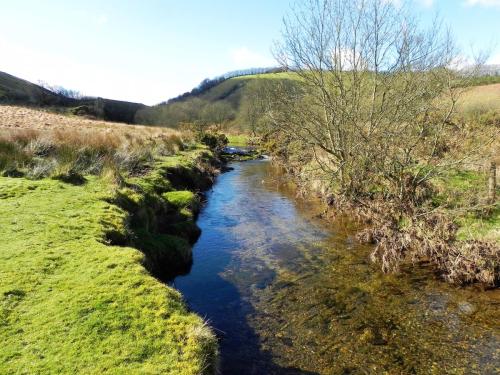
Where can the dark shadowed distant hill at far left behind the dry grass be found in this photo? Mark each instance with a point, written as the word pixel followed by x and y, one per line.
pixel 14 90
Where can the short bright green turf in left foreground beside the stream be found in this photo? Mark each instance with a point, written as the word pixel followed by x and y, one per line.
pixel 72 303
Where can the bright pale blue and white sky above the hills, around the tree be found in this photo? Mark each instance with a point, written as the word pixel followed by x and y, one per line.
pixel 151 50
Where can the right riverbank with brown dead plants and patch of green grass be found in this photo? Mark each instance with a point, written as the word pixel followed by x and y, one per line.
pixel 452 227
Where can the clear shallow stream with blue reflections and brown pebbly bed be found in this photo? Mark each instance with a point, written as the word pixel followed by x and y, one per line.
pixel 288 293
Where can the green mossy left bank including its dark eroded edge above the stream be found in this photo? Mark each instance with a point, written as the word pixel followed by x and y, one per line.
pixel 78 293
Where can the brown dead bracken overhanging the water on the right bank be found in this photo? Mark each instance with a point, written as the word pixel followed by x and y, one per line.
pixel 430 238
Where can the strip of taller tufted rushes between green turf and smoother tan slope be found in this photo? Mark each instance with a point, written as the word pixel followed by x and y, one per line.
pixel 68 153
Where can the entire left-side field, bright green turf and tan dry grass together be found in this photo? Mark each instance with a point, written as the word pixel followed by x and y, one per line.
pixel 77 294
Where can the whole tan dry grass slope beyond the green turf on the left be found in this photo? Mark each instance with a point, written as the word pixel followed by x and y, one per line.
pixel 37 144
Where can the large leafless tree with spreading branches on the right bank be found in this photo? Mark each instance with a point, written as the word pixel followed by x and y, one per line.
pixel 376 94
